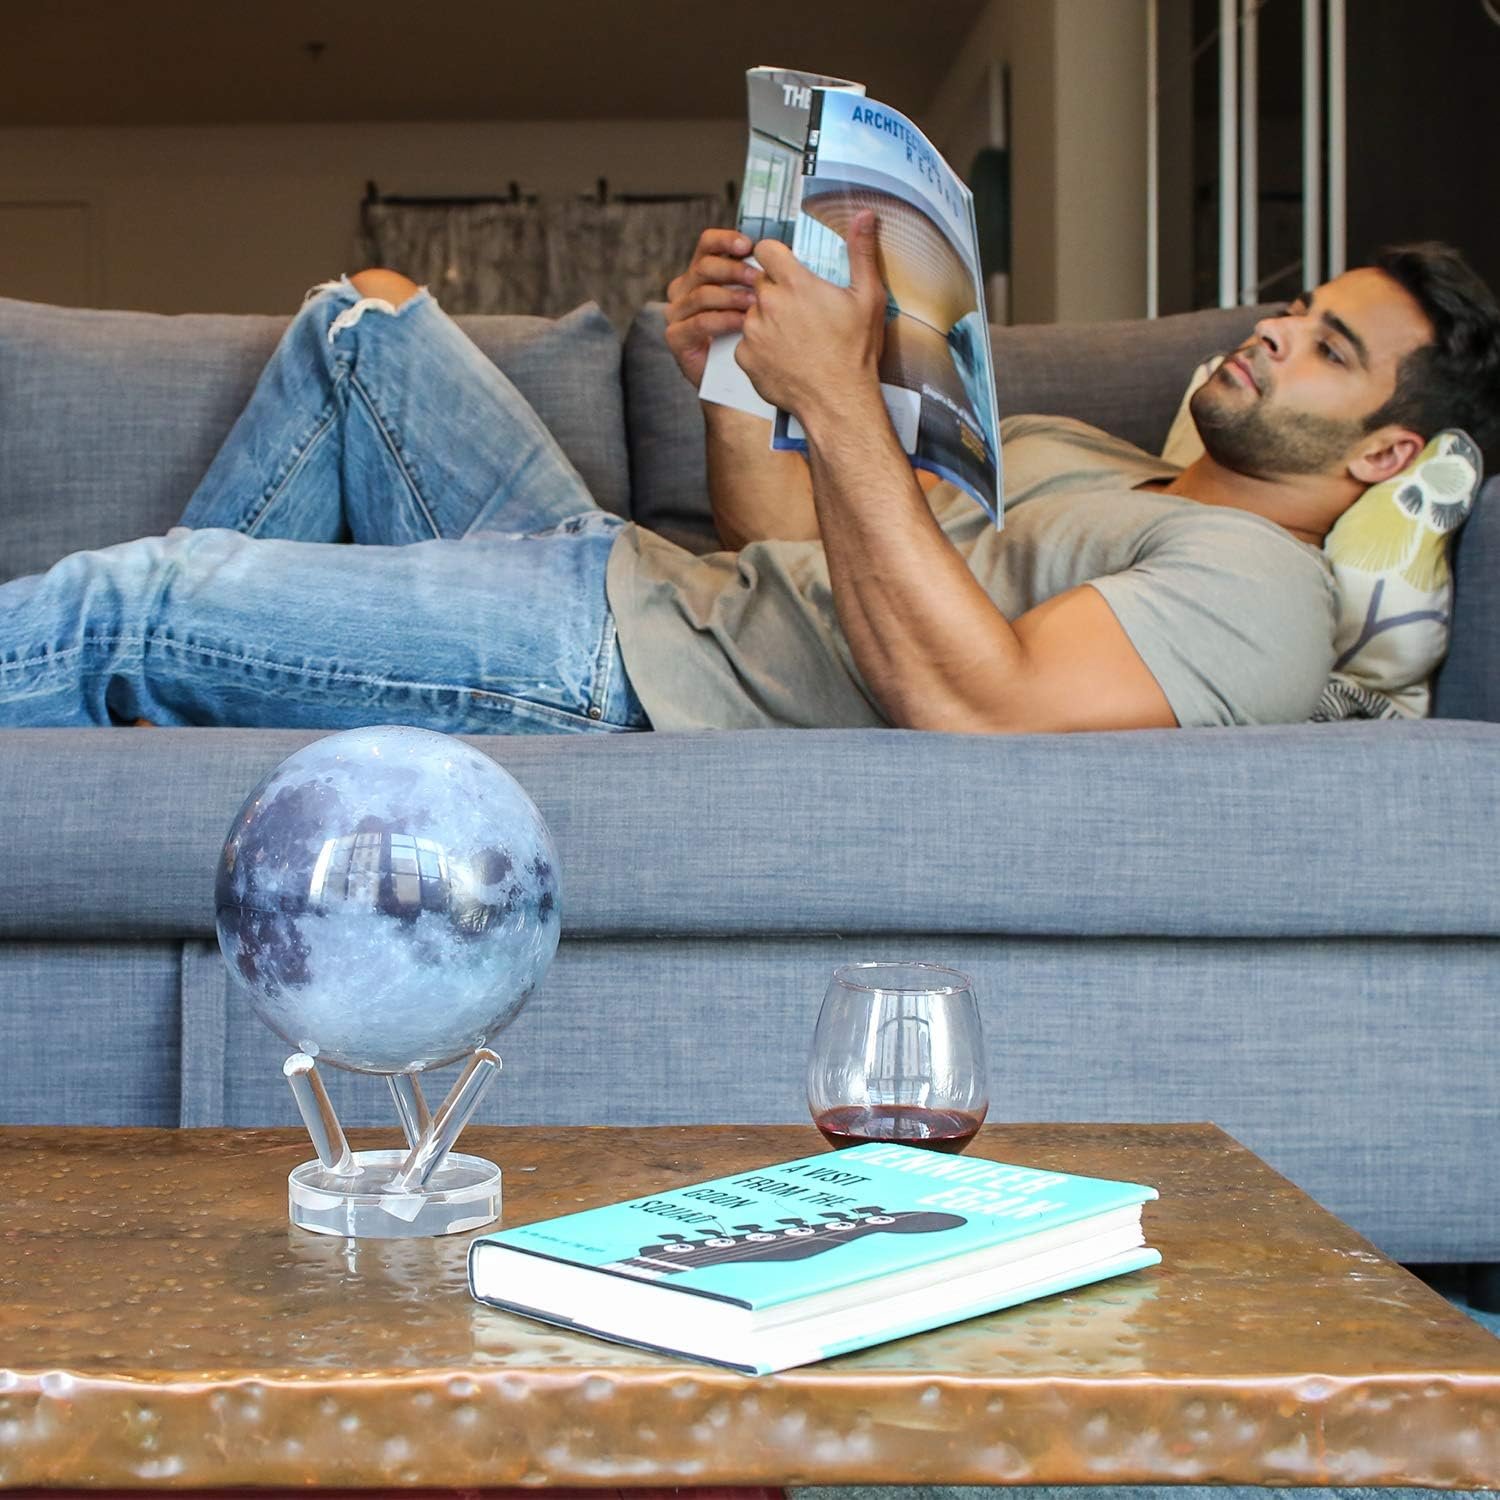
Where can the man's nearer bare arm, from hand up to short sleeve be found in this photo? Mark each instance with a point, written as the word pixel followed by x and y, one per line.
pixel 929 641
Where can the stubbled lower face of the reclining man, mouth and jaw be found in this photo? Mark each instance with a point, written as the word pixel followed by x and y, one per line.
pixel 1246 430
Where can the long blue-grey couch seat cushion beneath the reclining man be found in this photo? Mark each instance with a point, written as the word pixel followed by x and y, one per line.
pixel 1300 832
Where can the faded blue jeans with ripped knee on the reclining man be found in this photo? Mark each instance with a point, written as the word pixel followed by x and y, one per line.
pixel 472 601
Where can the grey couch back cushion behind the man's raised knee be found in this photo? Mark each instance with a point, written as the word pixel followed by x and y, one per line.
pixel 110 419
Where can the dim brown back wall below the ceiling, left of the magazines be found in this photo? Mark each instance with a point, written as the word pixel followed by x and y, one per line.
pixel 247 218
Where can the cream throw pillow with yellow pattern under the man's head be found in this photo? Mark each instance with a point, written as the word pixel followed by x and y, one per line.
pixel 1390 560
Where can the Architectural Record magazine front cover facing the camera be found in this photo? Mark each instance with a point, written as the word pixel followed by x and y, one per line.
pixel 935 374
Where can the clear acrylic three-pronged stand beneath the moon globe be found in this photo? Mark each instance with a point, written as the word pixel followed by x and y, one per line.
pixel 394 1195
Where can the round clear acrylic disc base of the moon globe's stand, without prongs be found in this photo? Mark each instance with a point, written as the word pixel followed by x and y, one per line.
pixel 463 1195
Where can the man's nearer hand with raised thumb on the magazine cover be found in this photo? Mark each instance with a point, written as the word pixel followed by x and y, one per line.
pixel 808 344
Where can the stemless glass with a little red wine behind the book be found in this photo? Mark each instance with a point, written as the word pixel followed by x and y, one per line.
pixel 899 1057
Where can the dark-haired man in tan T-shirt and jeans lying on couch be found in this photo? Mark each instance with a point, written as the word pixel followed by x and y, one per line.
pixel 487 593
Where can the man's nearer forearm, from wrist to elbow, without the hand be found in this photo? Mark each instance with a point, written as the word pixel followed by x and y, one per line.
pixel 926 638
